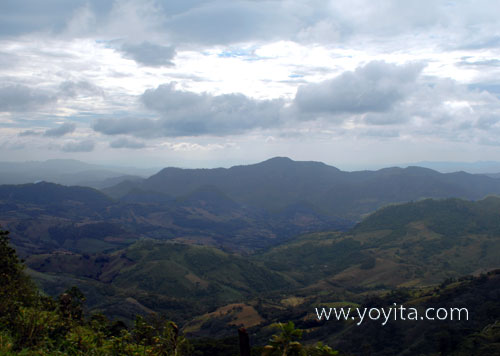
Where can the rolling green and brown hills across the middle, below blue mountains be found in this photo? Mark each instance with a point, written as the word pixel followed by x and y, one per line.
pixel 411 245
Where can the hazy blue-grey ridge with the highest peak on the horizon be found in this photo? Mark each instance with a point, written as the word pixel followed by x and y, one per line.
pixel 279 183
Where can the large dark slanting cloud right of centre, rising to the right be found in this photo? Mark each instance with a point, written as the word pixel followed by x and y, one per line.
pixel 376 87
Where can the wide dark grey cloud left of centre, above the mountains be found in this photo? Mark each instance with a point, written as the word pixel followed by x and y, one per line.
pixel 185 113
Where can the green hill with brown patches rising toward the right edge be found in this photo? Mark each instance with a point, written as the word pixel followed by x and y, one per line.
pixel 416 243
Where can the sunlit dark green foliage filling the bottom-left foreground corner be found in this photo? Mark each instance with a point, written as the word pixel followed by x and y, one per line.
pixel 32 324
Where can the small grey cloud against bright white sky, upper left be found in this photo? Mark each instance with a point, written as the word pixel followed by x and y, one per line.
pixel 150 54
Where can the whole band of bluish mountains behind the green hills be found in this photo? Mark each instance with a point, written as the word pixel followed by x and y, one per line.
pixel 240 208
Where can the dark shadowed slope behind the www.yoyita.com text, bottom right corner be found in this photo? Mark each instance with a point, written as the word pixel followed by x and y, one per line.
pixel 476 332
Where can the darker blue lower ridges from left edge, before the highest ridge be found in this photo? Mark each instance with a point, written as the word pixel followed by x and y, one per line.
pixel 45 217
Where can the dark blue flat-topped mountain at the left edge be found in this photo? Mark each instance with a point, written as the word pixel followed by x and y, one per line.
pixel 44 217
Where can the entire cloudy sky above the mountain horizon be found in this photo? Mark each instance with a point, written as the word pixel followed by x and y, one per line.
pixel 355 84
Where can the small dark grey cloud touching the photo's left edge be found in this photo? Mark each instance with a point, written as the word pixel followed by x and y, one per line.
pixel 20 98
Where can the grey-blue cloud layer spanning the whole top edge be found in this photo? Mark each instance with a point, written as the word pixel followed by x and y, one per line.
pixel 205 23
